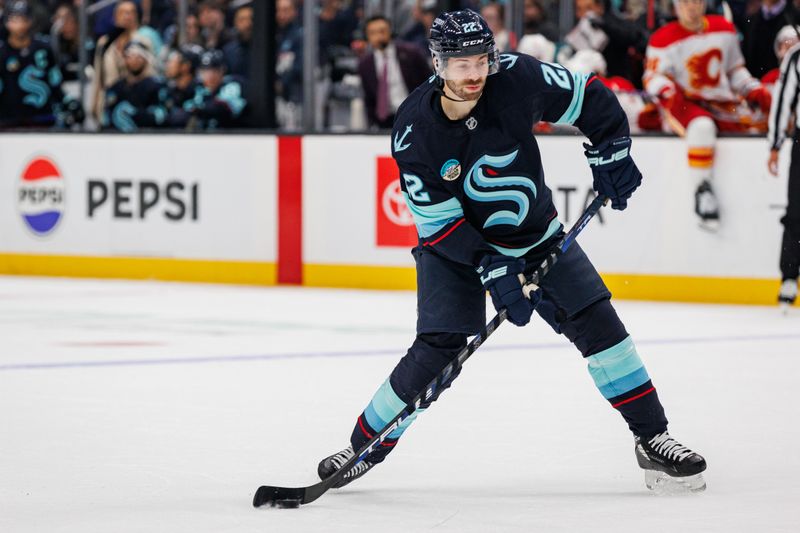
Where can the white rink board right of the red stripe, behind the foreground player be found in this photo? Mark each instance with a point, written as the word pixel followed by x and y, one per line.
pixel 657 234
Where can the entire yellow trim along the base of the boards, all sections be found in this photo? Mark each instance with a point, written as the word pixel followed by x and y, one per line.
pixel 623 286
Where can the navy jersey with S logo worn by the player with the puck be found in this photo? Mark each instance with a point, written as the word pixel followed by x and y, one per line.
pixel 476 186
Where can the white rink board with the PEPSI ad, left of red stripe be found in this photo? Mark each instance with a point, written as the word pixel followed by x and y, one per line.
pixel 233 178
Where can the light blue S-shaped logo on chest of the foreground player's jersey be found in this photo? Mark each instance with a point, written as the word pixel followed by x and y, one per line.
pixel 483 174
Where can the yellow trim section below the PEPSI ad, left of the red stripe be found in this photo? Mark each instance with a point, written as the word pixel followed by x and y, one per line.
pixel 194 270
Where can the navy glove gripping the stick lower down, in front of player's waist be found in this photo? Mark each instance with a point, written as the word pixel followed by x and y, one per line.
pixel 502 276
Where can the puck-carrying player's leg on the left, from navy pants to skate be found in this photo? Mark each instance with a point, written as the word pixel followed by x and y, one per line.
pixel 451 304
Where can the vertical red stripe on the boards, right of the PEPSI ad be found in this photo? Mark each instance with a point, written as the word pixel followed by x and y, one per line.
pixel 290 210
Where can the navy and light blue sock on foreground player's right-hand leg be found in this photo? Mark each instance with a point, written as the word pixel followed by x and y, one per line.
pixel 622 379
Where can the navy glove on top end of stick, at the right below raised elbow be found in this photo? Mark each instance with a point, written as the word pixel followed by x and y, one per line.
pixel 615 173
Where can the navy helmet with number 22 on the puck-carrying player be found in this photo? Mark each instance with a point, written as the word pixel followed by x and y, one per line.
pixel 461 34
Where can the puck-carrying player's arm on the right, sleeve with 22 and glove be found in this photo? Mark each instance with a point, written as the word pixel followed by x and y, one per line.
pixel 583 101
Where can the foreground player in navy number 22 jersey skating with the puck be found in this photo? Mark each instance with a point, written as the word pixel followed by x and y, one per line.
pixel 472 177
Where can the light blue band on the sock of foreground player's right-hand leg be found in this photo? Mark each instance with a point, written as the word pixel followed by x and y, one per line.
pixel 618 369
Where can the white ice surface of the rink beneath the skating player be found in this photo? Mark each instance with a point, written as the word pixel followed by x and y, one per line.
pixel 144 406
